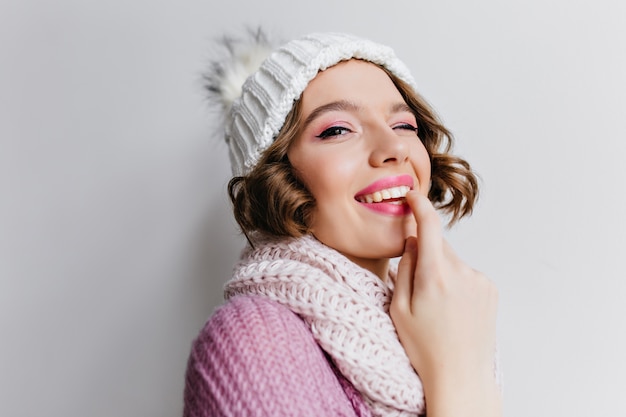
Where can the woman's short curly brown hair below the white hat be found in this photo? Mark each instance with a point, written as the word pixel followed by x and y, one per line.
pixel 271 199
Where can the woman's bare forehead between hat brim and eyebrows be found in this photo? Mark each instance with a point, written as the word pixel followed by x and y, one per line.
pixel 356 81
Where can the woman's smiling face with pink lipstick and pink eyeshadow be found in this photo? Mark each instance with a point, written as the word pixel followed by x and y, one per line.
pixel 358 153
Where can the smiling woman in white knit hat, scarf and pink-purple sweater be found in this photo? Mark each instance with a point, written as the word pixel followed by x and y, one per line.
pixel 339 165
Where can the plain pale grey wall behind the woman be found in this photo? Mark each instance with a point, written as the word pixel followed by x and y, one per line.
pixel 116 234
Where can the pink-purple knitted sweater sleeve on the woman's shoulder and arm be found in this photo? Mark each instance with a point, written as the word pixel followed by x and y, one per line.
pixel 256 358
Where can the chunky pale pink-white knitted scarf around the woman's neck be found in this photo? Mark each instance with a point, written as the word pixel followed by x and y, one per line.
pixel 346 307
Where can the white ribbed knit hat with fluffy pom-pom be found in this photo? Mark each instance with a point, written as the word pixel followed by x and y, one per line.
pixel 255 114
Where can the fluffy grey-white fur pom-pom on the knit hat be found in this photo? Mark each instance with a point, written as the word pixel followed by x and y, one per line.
pixel 239 59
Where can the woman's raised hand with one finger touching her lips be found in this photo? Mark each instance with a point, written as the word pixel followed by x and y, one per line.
pixel 445 315
